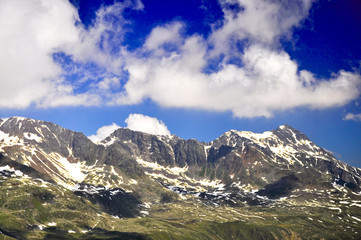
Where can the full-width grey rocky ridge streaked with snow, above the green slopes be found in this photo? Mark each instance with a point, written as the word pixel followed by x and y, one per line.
pixel 237 159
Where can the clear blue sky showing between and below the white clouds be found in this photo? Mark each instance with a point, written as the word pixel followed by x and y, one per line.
pixel 324 42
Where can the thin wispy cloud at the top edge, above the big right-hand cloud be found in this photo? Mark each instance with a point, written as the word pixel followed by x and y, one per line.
pixel 259 21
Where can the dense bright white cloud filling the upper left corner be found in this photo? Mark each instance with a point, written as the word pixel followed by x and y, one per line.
pixel 30 31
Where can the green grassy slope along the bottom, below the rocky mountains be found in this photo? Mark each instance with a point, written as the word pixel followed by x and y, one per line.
pixel 26 204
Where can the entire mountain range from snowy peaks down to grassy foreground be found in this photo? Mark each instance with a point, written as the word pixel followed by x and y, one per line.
pixel 57 184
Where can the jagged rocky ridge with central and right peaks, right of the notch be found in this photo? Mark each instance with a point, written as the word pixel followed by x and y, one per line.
pixel 235 158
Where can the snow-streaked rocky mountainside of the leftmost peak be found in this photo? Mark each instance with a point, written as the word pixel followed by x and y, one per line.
pixel 48 148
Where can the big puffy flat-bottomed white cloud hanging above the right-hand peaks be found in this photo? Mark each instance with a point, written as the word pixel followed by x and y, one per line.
pixel 268 82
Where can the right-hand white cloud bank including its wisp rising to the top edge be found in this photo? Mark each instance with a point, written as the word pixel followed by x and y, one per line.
pixel 267 81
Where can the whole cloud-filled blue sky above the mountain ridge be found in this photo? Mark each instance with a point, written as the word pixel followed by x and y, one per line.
pixel 193 68
